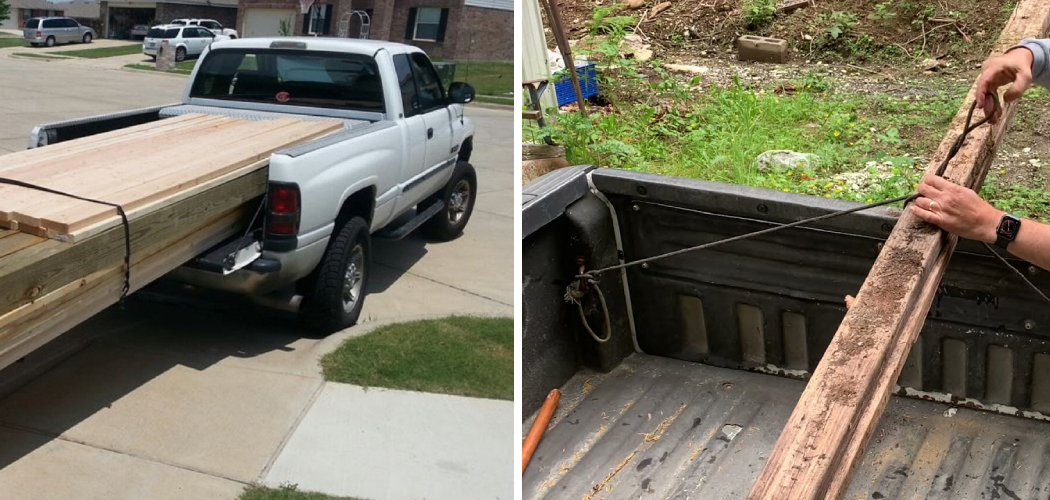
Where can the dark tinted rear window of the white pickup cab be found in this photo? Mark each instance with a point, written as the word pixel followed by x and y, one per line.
pixel 295 78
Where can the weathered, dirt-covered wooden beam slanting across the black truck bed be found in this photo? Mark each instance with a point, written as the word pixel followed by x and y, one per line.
pixel 821 446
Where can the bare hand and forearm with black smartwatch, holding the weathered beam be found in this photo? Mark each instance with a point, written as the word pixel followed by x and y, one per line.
pixel 962 213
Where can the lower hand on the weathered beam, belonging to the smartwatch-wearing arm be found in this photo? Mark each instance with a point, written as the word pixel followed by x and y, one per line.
pixel 956 210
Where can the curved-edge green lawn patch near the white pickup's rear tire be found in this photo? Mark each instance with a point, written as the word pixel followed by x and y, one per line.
pixel 467 357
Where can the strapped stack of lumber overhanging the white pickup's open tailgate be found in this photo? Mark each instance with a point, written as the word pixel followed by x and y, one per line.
pixel 186 184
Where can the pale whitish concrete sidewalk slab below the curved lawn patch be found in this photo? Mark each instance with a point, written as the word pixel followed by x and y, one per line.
pixel 382 444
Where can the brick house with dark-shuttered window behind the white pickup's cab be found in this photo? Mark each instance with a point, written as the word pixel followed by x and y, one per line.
pixel 457 30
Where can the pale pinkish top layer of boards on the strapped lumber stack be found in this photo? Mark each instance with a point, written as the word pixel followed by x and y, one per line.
pixel 142 170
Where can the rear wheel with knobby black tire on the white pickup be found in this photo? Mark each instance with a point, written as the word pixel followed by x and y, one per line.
pixel 335 293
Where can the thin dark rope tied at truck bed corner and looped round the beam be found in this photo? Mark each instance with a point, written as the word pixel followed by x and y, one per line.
pixel 575 291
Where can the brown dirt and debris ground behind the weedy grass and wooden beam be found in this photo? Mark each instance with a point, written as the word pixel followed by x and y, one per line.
pixel 890 62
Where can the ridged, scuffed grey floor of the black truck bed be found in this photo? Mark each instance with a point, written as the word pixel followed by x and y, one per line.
pixel 661 428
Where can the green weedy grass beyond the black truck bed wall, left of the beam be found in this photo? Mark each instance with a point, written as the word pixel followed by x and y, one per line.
pixel 867 147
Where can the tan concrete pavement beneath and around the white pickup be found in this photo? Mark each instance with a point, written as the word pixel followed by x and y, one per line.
pixel 181 397
